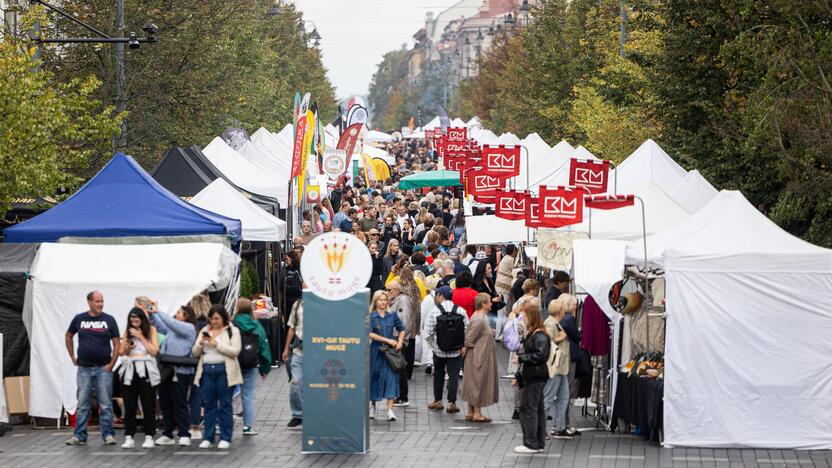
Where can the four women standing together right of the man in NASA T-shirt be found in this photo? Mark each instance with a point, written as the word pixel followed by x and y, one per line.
pixel 195 368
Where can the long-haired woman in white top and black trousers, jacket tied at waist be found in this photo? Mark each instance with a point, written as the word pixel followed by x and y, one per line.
pixel 139 376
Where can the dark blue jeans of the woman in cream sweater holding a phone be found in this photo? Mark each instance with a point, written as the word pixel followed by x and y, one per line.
pixel 216 398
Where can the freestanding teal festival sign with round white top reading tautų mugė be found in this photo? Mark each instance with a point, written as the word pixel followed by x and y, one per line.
pixel 336 346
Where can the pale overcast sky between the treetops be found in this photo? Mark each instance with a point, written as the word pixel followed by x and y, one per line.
pixel 355 34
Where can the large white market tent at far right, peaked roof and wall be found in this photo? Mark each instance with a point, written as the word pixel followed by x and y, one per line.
pixel 737 274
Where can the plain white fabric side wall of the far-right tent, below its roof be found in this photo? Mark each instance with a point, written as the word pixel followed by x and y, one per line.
pixel 748 359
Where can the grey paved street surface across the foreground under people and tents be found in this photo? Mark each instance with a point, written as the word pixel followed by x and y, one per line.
pixel 419 438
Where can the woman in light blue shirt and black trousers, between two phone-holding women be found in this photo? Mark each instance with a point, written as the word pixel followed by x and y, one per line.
pixel 180 334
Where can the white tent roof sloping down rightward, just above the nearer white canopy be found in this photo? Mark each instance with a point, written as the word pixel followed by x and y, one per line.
pixel 245 174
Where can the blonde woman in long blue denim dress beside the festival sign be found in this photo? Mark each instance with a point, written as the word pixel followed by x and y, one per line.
pixel 385 328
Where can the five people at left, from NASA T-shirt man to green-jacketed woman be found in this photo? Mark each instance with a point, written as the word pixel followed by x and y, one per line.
pixel 196 360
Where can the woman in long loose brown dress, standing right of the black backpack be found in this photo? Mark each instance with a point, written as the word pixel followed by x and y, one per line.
pixel 481 386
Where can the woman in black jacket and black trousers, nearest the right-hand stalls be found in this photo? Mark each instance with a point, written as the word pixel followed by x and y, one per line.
pixel 532 378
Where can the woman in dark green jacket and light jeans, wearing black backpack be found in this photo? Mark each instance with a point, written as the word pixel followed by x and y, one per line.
pixel 254 358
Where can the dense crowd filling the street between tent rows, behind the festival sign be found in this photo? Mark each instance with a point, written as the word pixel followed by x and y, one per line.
pixel 446 304
